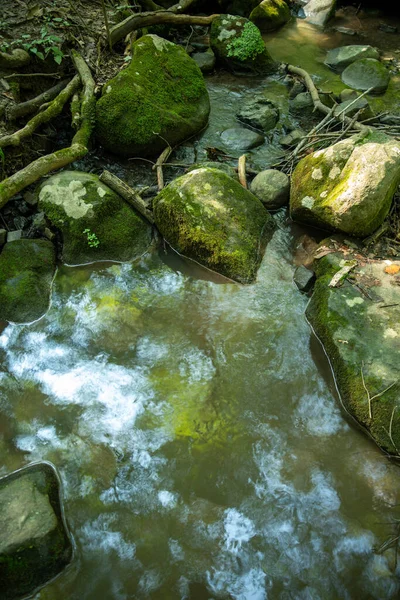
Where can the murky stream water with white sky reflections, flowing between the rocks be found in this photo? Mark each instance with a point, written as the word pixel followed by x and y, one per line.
pixel 196 425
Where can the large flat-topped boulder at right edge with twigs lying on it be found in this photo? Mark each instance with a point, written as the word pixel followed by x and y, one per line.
pixel 358 324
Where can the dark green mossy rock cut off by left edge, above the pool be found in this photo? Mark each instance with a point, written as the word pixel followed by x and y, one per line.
pixel 26 273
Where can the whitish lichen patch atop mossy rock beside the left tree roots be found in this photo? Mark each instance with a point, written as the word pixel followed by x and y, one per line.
pixel 70 198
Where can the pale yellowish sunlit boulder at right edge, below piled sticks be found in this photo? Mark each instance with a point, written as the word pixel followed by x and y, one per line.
pixel 347 187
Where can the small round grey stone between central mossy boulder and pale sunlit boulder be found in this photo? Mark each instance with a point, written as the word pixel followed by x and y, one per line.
pixel 272 187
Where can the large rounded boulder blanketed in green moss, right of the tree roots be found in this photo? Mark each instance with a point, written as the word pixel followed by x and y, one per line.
pixel 161 97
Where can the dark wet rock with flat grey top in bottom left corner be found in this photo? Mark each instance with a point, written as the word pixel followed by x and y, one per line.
pixel 34 542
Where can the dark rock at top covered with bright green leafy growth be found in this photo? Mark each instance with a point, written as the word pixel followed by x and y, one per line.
pixel 237 43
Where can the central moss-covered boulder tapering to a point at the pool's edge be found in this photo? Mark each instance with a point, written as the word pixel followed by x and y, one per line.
pixel 209 217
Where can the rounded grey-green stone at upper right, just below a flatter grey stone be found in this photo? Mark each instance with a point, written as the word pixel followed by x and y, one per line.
pixel 366 74
